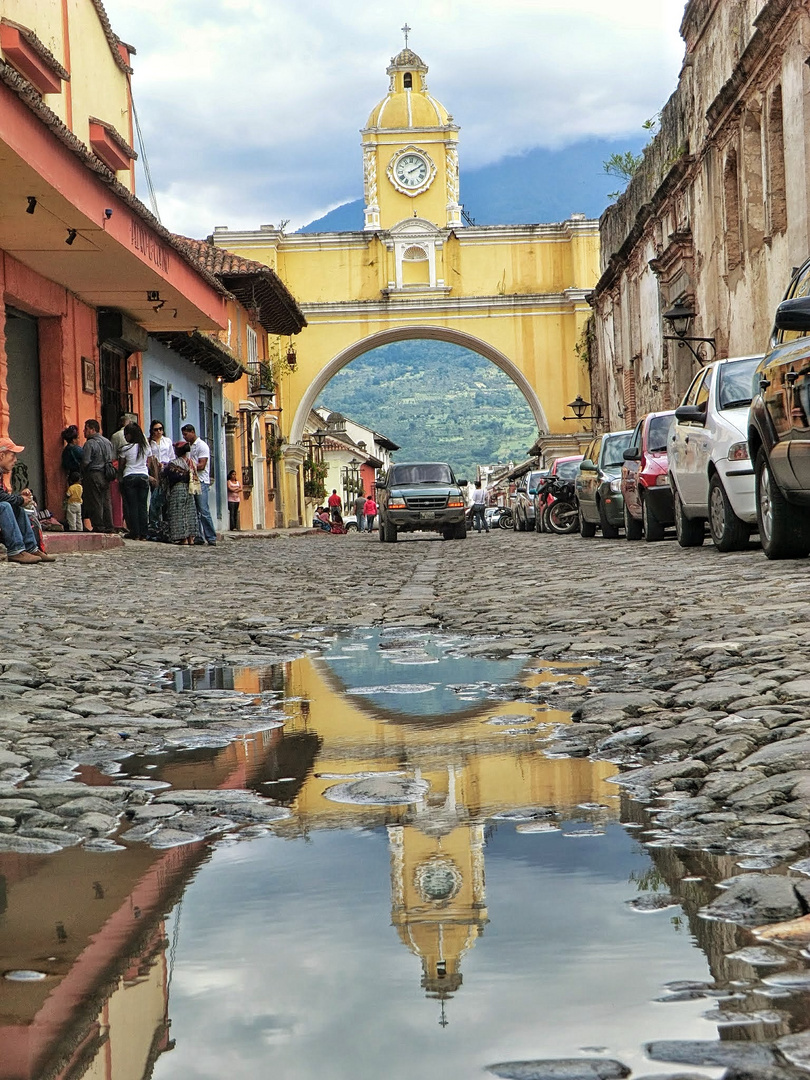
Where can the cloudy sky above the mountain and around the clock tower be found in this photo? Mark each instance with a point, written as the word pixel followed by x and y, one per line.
pixel 251 110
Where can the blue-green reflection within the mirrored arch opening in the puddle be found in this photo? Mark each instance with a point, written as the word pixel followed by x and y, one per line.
pixel 412 674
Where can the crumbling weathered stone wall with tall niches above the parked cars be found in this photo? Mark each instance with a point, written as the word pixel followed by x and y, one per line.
pixel 718 214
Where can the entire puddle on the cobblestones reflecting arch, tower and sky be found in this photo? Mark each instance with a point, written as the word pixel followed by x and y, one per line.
pixel 439 897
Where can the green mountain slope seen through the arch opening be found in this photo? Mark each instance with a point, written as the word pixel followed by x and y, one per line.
pixel 439 402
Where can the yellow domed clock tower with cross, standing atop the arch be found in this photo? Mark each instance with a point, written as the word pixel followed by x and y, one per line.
pixel 411 153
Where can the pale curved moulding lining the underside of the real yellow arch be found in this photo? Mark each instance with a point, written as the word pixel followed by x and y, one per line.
pixel 409 334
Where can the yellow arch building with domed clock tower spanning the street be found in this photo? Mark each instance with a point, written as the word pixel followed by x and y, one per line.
pixel 514 294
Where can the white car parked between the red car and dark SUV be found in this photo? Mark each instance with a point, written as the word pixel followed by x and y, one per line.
pixel 711 474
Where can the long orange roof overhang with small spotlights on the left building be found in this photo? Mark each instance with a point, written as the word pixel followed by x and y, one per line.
pixel 120 256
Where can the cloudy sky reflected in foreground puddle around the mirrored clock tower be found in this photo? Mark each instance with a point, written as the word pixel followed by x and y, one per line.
pixel 288 965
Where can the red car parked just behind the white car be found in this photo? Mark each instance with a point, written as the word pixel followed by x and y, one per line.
pixel 649 506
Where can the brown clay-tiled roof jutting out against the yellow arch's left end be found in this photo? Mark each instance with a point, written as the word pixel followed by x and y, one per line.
pixel 254 285
